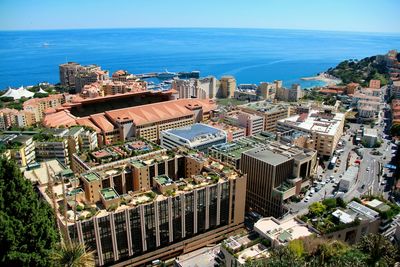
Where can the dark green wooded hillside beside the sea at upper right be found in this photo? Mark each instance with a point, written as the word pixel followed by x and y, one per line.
pixel 369 68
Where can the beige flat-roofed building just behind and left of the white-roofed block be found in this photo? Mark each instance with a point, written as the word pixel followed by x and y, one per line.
pixel 269 111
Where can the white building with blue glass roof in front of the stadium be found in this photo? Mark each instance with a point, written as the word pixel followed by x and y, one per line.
pixel 197 136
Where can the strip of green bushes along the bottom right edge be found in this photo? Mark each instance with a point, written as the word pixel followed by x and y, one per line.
pixel 372 250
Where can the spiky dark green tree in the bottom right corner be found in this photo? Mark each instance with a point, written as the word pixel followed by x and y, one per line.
pixel 379 250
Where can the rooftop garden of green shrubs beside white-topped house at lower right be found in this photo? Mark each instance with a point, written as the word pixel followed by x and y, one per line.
pixel 321 218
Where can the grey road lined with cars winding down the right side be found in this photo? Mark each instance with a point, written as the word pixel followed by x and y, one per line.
pixel 372 176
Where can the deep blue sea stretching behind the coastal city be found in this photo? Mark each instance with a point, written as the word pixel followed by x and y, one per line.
pixel 251 55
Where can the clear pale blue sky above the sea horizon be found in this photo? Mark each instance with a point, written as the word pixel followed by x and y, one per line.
pixel 335 15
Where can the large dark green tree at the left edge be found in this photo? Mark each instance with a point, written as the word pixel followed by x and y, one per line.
pixel 27 228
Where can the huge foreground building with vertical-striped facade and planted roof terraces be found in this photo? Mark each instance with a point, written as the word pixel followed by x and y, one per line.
pixel 139 226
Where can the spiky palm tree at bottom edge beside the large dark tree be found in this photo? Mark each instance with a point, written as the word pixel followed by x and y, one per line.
pixel 72 254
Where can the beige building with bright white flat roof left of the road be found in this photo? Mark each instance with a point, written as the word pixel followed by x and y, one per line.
pixel 324 128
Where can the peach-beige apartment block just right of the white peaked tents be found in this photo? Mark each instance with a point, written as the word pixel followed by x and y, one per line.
pixel 38 105
